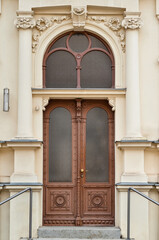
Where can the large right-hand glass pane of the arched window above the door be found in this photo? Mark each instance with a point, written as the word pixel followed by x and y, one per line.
pixel 96 70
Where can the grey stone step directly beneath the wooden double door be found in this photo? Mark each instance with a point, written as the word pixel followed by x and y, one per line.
pixel 79 232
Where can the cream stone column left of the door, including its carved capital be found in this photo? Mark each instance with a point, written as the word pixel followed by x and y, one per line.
pixel 25 23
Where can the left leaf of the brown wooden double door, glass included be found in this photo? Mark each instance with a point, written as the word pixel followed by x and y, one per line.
pixel 60 163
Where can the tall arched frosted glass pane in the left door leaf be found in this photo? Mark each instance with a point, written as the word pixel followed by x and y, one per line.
pixel 60 146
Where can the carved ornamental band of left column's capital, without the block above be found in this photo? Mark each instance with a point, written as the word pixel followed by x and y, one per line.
pixel 25 22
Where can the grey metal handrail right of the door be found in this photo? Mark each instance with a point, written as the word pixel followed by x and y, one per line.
pixel 128 210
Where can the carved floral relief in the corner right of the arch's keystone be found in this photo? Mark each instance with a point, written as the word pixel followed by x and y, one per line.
pixel 114 24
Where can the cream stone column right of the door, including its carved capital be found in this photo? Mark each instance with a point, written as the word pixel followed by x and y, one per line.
pixel 132 23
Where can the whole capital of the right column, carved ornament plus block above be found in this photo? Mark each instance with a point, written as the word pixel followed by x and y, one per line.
pixel 132 20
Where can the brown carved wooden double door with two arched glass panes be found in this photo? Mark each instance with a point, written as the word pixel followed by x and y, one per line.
pixel 78 163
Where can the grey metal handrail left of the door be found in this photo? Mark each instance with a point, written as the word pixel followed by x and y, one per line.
pixel 30 207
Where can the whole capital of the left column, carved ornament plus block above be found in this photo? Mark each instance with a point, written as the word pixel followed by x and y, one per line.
pixel 25 20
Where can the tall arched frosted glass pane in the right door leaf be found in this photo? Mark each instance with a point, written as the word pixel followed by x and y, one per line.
pixel 97 150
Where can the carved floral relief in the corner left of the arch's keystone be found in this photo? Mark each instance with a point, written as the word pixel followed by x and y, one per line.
pixel 43 24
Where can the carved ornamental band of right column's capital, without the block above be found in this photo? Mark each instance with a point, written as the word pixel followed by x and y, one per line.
pixel 132 23
